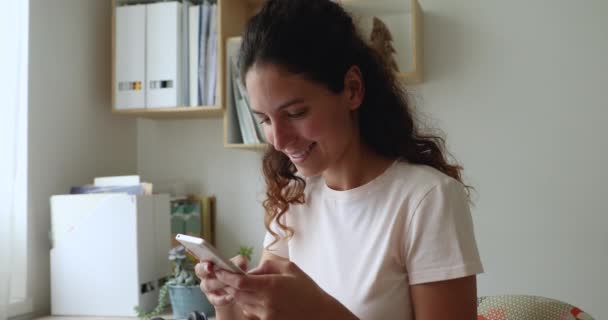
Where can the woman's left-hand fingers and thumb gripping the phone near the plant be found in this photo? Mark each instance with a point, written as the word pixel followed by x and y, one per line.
pixel 211 286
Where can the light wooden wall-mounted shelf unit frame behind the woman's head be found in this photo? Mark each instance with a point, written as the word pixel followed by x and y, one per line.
pixel 403 18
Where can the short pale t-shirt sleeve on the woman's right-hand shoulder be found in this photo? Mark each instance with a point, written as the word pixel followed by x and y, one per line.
pixel 439 238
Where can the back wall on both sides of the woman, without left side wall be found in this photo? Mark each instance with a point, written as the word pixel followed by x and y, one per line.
pixel 519 87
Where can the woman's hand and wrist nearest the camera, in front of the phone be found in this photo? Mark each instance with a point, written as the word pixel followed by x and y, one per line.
pixel 281 290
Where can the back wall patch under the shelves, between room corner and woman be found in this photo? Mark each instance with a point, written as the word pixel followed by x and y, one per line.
pixel 192 151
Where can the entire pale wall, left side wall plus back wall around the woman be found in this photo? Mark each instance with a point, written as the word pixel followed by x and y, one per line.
pixel 518 86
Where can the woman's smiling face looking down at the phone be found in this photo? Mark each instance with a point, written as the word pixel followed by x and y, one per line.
pixel 306 121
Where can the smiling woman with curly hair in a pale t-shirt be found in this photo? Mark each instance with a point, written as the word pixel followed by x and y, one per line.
pixel 365 216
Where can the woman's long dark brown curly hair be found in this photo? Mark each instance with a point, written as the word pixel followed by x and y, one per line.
pixel 318 39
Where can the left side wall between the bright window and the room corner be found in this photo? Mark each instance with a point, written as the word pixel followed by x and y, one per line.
pixel 73 136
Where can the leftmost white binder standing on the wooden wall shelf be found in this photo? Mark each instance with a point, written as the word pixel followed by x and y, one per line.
pixel 130 68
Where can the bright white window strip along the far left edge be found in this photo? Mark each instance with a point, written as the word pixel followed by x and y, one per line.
pixel 13 164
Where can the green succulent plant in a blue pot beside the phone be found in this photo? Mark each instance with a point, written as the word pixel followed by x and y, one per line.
pixel 184 287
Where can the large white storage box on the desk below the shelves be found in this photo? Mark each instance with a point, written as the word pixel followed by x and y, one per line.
pixel 109 253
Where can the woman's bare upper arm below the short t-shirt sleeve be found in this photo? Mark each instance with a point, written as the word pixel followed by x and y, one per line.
pixel 451 299
